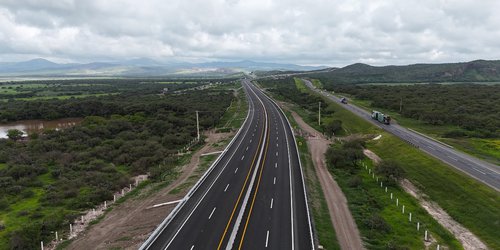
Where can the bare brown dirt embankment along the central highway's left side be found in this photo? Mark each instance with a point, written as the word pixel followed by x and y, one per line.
pixel 129 224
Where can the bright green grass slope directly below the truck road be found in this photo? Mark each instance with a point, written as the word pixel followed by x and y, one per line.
pixel 472 204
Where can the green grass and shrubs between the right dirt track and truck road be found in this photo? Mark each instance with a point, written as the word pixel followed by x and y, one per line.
pixel 470 203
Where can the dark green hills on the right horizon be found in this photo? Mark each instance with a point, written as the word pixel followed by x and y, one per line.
pixel 474 71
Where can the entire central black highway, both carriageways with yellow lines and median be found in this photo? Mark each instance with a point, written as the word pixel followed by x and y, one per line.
pixel 252 197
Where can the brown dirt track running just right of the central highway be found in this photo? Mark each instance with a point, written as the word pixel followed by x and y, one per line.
pixel 345 228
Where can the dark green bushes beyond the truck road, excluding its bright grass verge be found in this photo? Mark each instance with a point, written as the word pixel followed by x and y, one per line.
pixel 474 108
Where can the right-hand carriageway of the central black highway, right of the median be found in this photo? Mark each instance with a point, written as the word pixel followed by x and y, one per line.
pixel 278 217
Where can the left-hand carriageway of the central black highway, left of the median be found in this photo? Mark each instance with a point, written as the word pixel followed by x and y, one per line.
pixel 202 219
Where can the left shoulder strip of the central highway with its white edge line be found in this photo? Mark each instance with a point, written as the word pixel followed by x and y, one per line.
pixel 156 233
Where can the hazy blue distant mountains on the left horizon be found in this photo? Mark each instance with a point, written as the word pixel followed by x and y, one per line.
pixel 139 67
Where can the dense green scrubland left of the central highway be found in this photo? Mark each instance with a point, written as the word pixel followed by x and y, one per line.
pixel 48 178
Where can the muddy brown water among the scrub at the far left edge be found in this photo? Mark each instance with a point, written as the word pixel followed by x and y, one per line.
pixel 29 126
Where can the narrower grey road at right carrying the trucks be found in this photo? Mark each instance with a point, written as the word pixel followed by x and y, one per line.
pixel 482 171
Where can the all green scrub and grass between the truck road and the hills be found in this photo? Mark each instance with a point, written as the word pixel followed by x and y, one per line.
pixel 462 115
